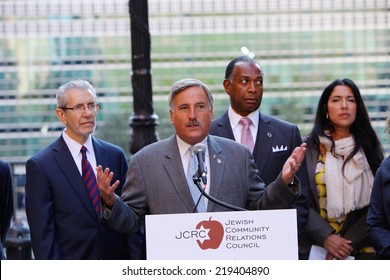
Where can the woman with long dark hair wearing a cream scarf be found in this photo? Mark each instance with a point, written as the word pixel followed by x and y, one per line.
pixel 343 154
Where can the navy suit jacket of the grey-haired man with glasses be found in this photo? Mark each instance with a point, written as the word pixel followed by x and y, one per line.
pixel 63 224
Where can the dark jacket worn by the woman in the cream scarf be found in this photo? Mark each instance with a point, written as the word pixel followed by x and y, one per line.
pixel 317 228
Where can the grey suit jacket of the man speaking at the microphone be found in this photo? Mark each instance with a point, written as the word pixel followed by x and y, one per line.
pixel 156 183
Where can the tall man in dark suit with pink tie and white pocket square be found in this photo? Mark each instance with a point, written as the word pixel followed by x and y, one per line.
pixel 270 140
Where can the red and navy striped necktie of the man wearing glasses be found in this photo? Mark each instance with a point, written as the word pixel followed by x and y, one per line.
pixel 90 181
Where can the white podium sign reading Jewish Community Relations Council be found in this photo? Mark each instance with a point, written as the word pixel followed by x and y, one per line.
pixel 241 235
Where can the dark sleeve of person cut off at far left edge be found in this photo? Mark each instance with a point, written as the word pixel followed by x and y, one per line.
pixel 6 201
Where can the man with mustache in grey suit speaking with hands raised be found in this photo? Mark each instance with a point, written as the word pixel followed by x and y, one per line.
pixel 156 180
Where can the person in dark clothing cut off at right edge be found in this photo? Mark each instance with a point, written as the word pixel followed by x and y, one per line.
pixel 378 218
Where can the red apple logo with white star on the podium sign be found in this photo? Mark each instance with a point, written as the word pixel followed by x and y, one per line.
pixel 215 232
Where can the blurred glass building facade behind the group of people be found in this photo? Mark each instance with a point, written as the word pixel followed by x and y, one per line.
pixel 302 46
